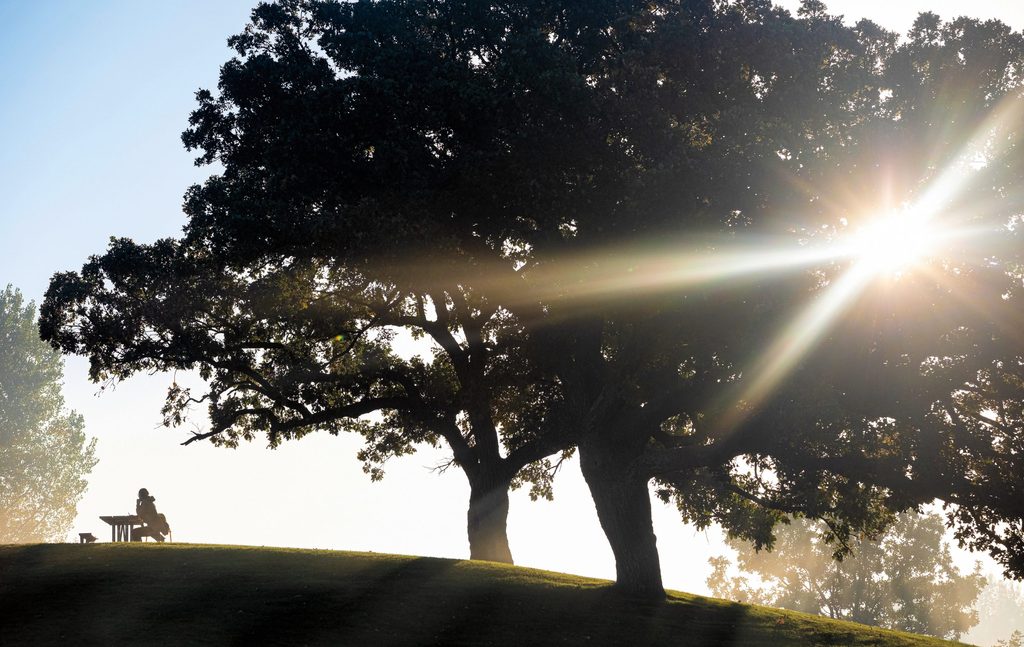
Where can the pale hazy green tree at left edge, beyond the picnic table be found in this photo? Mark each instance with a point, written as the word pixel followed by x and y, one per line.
pixel 45 457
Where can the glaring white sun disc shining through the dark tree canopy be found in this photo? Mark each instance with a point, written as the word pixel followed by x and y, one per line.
pixel 893 244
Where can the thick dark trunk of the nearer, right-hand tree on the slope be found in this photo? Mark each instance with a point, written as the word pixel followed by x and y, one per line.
pixel 623 504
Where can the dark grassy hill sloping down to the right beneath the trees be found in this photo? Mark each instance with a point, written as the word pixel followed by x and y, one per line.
pixel 176 594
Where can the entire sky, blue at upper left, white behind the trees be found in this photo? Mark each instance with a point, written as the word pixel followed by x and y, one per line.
pixel 94 98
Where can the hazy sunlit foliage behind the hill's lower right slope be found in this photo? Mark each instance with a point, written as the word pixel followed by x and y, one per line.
pixel 905 580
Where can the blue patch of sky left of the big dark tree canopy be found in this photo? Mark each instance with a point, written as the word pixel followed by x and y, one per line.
pixel 96 96
